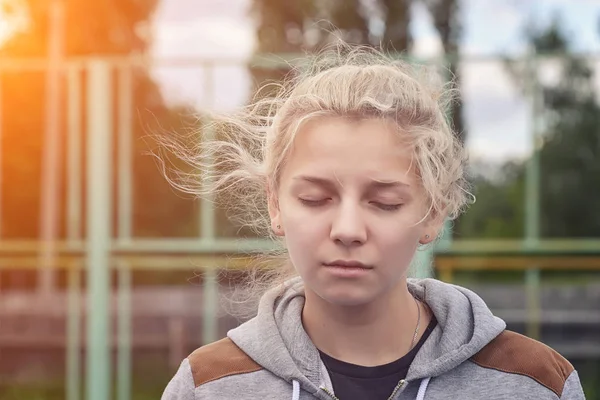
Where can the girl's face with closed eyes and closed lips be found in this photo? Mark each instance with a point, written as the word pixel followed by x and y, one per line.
pixel 349 197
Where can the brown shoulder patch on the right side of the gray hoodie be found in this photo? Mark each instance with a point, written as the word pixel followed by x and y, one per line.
pixel 517 354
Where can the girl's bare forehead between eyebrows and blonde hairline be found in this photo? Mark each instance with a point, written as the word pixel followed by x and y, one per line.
pixel 369 149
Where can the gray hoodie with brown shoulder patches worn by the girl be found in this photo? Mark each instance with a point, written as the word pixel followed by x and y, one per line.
pixel 469 355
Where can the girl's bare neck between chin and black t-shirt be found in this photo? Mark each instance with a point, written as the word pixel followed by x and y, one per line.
pixel 372 334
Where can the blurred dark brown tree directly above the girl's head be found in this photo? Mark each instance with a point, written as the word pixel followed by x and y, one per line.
pixel 298 27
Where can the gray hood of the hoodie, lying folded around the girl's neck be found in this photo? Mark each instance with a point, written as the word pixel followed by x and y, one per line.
pixel 276 339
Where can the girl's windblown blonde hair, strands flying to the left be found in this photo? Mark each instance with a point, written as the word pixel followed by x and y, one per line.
pixel 238 156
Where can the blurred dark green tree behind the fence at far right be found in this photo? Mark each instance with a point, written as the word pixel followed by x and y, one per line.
pixel 569 156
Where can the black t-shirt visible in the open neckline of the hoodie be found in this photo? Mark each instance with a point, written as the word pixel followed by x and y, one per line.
pixel 352 381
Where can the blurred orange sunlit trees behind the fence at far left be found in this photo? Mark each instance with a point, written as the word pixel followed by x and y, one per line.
pixel 102 28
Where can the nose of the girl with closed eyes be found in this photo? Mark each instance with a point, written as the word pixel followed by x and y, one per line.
pixel 348 227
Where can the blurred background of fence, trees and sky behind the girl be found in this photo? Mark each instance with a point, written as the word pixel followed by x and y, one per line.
pixel 109 277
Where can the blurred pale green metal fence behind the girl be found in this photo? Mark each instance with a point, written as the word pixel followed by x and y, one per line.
pixel 100 252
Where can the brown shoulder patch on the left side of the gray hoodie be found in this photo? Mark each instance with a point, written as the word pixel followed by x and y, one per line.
pixel 219 359
